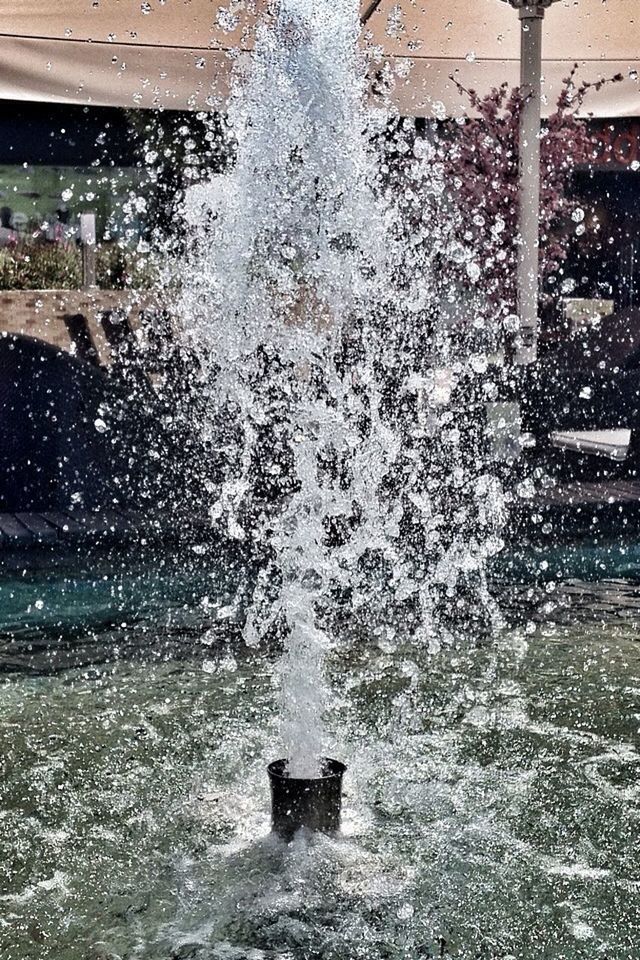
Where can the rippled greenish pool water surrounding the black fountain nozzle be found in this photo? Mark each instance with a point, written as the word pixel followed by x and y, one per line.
pixel 492 798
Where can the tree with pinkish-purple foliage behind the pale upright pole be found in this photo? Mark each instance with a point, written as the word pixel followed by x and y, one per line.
pixel 482 165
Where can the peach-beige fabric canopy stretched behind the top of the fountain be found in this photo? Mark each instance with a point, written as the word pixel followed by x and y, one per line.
pixel 175 53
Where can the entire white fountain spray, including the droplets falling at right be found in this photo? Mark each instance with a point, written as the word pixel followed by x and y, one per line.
pixel 309 294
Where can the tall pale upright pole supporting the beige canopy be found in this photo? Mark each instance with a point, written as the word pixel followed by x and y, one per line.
pixel 525 344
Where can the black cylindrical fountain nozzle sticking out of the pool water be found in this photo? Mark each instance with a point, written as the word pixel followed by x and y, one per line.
pixel 314 803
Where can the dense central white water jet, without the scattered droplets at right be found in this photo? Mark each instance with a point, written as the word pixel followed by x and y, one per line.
pixel 280 268
